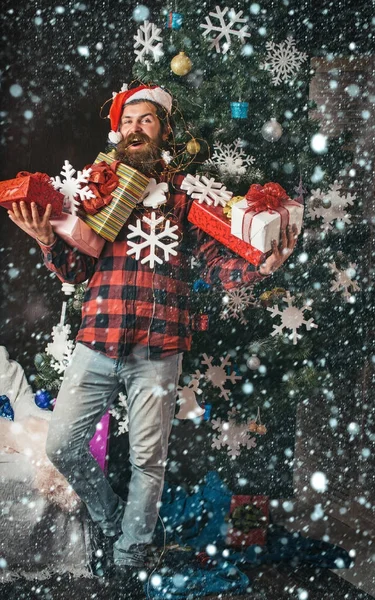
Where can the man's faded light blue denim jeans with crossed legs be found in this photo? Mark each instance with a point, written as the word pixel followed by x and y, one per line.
pixel 91 382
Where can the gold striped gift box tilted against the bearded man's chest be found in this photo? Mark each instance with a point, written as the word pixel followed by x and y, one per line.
pixel 110 219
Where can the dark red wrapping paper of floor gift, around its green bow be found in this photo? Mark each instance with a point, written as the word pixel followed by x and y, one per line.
pixel 258 535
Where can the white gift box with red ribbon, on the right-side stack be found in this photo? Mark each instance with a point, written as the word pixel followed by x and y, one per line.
pixel 259 229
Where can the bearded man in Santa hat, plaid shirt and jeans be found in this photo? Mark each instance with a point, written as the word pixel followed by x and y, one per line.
pixel 134 330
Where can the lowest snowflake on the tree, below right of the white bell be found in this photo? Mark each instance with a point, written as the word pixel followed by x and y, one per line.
pixel 232 434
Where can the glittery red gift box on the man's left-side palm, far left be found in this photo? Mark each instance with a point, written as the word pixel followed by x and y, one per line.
pixel 33 187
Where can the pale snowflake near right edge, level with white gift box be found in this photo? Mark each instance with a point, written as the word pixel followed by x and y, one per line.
pixel 336 211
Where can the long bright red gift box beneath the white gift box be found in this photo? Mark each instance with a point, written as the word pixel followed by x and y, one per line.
pixel 213 221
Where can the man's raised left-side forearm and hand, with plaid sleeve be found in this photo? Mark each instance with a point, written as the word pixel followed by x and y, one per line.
pixel 69 265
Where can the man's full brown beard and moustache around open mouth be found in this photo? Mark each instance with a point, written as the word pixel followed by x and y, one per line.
pixel 145 158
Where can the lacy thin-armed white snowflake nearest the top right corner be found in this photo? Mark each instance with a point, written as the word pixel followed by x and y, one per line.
pixel 284 60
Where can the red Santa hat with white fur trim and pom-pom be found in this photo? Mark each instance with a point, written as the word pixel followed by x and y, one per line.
pixel 142 92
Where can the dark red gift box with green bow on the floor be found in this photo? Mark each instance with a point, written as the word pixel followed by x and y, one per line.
pixel 248 521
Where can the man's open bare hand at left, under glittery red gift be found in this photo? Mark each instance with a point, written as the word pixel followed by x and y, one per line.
pixel 34 225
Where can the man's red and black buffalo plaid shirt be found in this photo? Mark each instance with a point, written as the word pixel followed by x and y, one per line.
pixel 127 304
